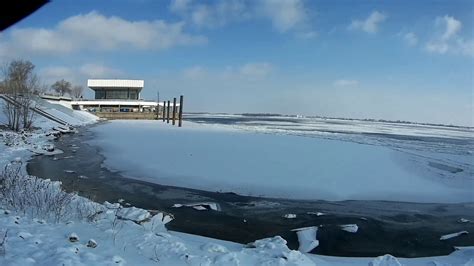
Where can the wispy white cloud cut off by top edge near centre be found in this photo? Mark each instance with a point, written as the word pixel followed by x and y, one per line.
pixel 284 15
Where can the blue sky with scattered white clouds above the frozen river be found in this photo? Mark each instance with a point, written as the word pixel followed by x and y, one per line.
pixel 396 60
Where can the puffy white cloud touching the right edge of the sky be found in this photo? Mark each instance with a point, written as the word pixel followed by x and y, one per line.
pixel 447 38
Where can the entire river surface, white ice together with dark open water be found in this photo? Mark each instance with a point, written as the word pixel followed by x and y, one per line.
pixel 216 148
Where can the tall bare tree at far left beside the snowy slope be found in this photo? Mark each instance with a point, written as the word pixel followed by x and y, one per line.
pixel 19 83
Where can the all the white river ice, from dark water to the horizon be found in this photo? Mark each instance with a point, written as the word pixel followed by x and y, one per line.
pixel 296 158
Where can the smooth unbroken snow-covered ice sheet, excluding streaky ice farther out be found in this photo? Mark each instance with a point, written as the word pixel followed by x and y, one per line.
pixel 215 158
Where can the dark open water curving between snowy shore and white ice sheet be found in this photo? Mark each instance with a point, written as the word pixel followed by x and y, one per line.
pixel 401 229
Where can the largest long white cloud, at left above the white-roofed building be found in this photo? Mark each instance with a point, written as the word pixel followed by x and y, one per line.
pixel 94 31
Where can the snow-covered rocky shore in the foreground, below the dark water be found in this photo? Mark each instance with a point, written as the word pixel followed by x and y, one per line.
pixel 70 242
